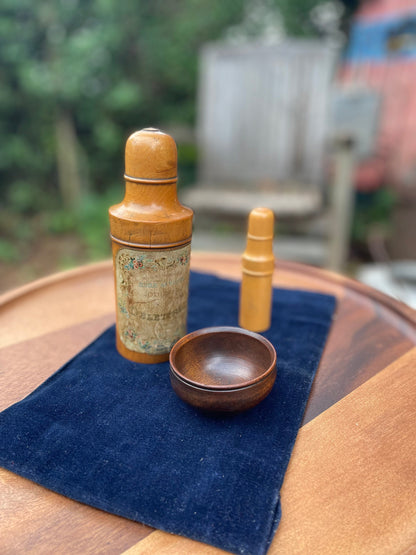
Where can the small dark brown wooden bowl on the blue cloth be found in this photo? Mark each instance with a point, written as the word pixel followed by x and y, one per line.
pixel 223 368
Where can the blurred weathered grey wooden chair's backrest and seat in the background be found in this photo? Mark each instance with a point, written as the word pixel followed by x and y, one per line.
pixel 262 126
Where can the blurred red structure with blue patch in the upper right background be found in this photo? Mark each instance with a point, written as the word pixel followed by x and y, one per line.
pixel 381 55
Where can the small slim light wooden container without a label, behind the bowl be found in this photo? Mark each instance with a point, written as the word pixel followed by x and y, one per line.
pixel 257 272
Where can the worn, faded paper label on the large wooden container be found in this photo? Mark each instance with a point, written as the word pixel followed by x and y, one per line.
pixel 152 297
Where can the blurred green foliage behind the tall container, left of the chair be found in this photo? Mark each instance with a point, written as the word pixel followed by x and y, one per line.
pixel 112 67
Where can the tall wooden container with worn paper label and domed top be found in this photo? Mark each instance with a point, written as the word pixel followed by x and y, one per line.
pixel 151 239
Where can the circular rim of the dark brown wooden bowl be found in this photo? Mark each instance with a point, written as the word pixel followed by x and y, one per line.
pixel 222 329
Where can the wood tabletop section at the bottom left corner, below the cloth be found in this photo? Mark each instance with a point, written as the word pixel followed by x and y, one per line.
pixel 38 521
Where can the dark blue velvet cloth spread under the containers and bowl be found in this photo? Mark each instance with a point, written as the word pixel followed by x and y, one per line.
pixel 113 434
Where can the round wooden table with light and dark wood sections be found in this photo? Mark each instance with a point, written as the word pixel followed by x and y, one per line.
pixel 351 483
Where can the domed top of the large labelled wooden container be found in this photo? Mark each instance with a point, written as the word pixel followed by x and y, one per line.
pixel 150 155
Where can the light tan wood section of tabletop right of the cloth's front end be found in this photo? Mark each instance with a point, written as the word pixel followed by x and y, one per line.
pixel 351 482
